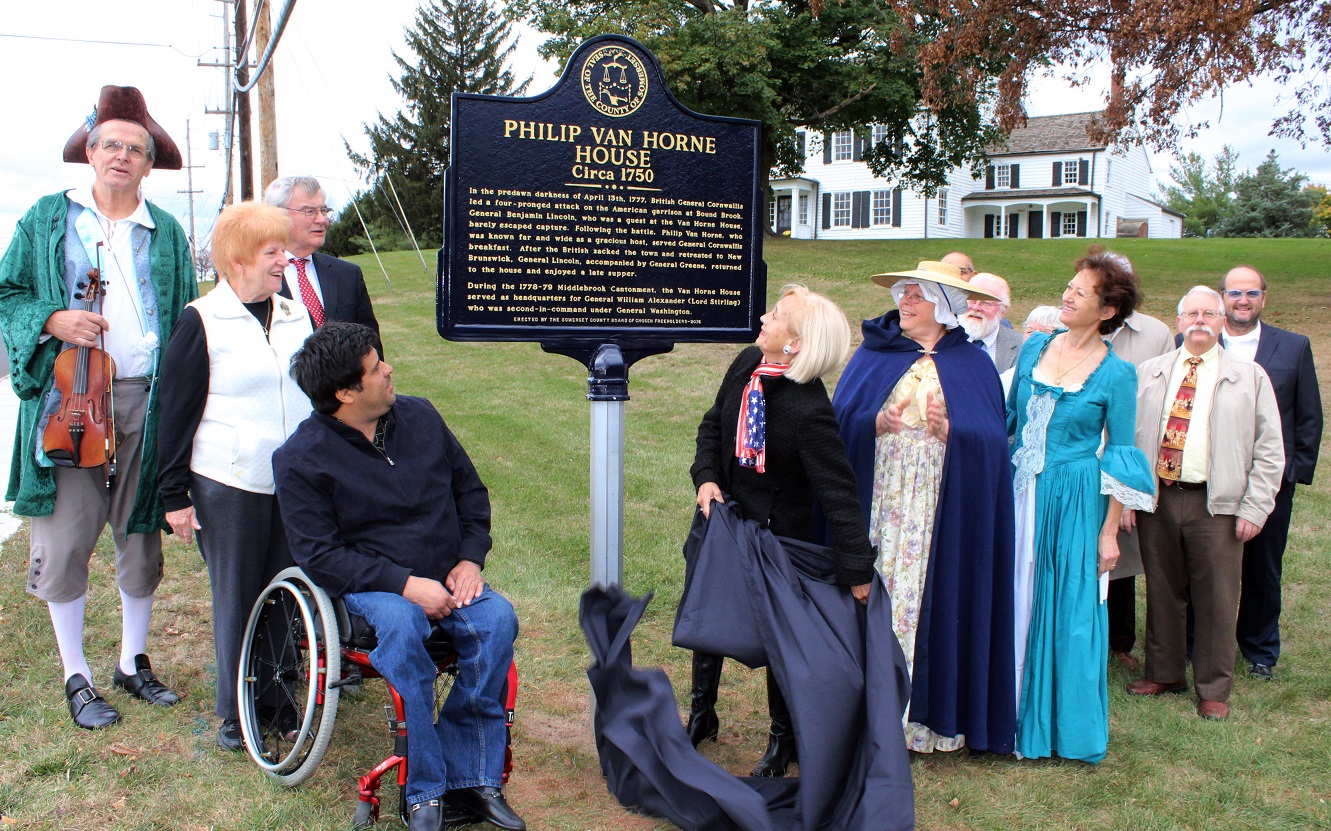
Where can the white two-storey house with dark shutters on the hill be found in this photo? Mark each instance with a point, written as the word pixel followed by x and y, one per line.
pixel 1051 180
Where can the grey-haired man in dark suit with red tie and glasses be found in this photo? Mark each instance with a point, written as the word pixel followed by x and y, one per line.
pixel 331 288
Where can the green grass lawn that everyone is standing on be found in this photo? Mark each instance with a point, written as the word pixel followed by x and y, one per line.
pixel 524 417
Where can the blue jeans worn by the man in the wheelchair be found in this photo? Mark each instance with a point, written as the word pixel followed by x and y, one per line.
pixel 467 748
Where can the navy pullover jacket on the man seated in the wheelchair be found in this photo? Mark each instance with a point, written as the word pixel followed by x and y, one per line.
pixel 359 523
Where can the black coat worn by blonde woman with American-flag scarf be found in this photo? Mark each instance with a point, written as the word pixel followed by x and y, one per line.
pixel 806 464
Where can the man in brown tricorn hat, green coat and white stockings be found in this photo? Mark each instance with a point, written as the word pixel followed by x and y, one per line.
pixel 147 276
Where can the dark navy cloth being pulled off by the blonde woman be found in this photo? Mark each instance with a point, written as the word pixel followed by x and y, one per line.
pixel 838 663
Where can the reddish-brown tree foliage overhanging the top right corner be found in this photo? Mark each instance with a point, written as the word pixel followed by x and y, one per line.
pixel 1164 55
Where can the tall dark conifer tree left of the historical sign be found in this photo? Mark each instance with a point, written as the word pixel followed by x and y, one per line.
pixel 457 46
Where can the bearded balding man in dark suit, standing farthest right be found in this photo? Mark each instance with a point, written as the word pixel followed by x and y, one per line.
pixel 1288 359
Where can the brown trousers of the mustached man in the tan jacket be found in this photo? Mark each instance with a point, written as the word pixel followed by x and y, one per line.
pixel 1185 548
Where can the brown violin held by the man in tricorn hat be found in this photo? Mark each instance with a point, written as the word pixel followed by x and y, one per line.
pixel 82 433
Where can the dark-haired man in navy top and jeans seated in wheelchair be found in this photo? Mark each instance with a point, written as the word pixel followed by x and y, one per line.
pixel 384 508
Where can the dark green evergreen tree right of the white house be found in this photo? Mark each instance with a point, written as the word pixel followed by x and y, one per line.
pixel 1272 203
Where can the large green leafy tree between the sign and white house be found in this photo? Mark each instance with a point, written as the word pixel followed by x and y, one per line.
pixel 849 67
